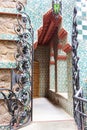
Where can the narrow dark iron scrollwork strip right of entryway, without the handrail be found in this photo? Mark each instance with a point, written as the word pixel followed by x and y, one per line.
pixel 75 59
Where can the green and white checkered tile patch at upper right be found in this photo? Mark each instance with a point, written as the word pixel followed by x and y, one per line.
pixel 82 19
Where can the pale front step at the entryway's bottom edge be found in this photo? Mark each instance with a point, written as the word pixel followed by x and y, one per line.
pixel 61 125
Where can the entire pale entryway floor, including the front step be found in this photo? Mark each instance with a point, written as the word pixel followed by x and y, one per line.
pixel 49 117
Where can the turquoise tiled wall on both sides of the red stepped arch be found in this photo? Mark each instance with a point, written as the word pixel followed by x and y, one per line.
pixel 37 8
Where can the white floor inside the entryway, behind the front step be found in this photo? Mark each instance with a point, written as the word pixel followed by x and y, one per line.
pixel 43 110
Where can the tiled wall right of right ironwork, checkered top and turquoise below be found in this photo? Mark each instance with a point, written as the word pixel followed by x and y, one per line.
pixel 82 38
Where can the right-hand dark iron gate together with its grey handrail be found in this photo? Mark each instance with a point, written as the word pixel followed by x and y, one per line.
pixel 78 99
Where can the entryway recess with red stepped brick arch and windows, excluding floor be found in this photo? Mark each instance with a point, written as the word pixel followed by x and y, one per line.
pixel 53 54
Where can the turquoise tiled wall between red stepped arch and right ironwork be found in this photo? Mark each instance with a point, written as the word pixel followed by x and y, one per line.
pixel 67 14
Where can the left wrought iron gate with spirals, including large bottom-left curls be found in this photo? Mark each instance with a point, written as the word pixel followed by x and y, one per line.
pixel 18 99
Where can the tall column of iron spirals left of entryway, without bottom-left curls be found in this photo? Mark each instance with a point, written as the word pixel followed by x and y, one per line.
pixel 24 59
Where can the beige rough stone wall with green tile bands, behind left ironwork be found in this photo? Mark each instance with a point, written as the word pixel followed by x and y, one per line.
pixel 8 47
